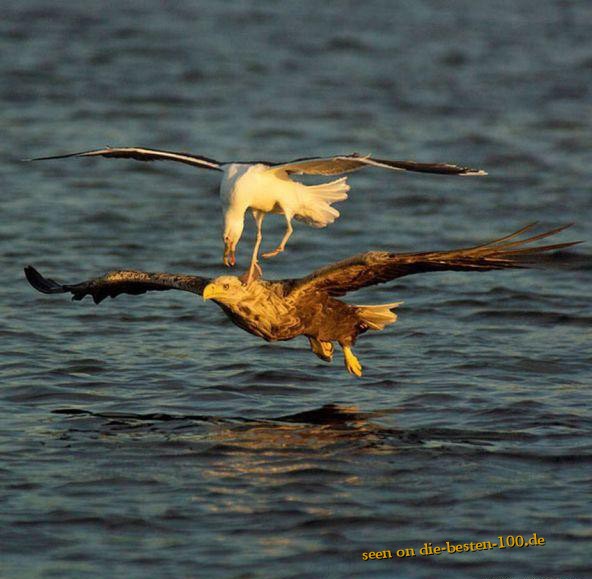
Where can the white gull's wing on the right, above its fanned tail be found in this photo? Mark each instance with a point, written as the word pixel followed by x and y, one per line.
pixel 347 163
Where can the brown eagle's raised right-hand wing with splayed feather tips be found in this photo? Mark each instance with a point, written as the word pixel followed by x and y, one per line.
pixel 376 267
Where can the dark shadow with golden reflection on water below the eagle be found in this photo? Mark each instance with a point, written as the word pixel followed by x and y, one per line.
pixel 332 426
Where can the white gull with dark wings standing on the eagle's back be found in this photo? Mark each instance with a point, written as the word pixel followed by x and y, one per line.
pixel 267 187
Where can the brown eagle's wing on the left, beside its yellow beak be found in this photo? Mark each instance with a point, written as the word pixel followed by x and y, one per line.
pixel 115 283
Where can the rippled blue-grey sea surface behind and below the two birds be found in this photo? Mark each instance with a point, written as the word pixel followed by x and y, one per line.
pixel 149 437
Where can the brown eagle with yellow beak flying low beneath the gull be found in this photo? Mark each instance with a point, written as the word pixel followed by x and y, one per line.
pixel 308 306
